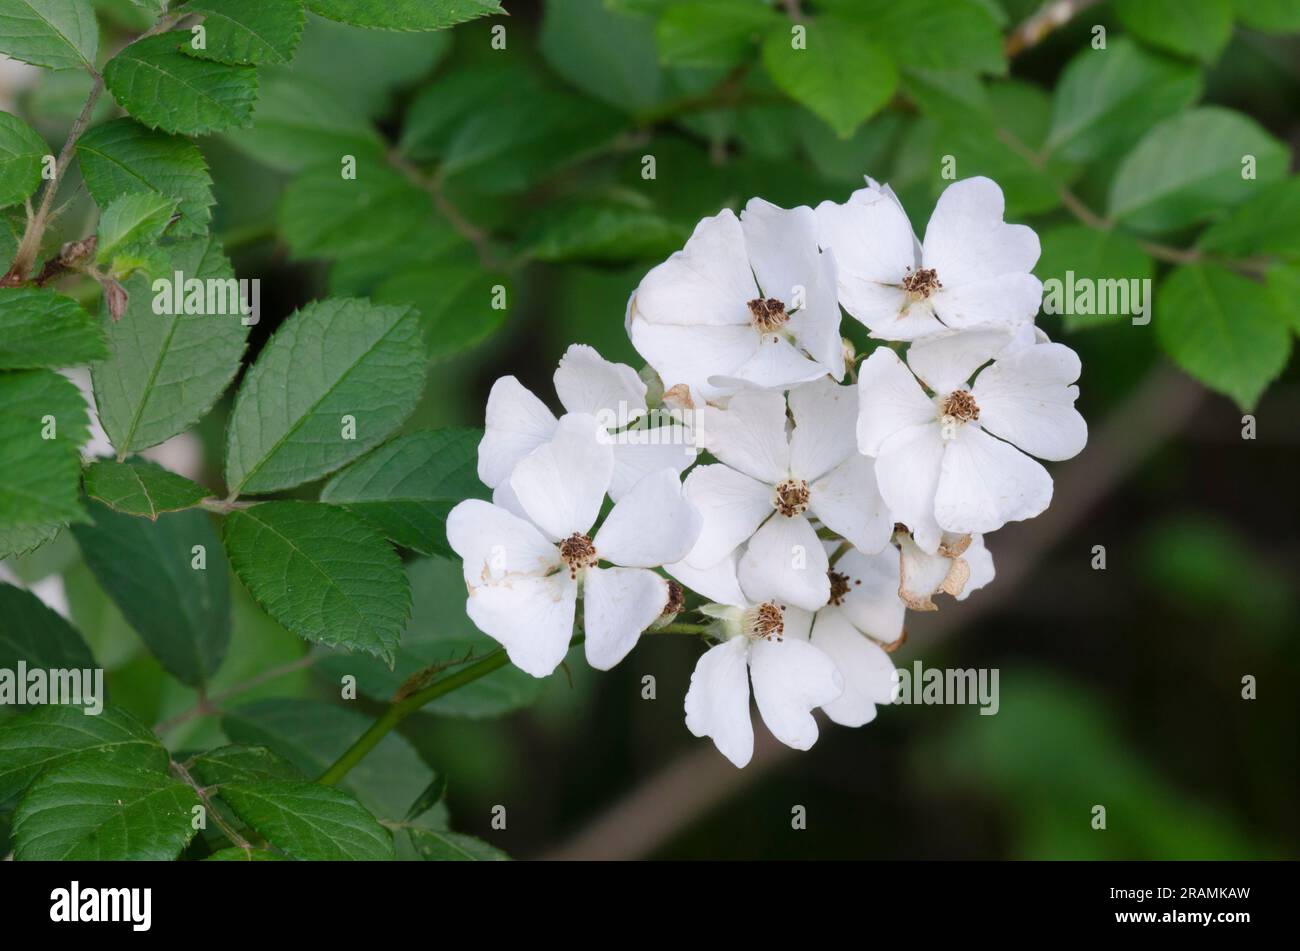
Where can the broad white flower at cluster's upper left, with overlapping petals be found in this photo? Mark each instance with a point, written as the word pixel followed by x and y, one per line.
pixel 748 302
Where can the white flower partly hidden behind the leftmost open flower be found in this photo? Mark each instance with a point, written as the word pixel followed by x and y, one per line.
pixel 586 383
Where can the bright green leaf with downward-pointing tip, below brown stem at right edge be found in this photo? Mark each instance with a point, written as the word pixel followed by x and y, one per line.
pixel 1224 331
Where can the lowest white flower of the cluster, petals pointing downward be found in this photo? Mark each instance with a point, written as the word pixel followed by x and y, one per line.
pixel 769 646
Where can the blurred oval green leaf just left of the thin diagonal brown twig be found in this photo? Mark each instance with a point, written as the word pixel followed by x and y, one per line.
pixel 324 215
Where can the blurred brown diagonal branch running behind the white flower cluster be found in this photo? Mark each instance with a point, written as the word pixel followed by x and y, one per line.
pixel 701 780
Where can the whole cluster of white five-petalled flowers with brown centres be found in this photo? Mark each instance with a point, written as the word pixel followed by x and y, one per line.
pixel 827 507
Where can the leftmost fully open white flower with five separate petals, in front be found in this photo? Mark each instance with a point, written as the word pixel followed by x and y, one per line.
pixel 525 574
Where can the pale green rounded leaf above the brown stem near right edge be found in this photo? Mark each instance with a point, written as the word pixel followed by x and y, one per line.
pixel 1190 167
